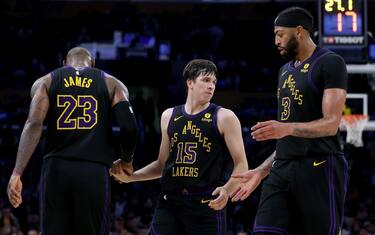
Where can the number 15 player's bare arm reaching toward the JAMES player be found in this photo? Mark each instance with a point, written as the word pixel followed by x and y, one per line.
pixel 154 169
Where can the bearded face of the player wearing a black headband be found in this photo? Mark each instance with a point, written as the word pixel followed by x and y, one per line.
pixel 286 42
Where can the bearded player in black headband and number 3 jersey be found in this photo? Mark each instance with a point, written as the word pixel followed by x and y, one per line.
pixel 306 185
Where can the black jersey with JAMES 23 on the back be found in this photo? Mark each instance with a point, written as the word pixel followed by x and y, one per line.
pixel 79 125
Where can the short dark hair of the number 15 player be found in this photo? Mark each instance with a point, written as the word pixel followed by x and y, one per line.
pixel 198 67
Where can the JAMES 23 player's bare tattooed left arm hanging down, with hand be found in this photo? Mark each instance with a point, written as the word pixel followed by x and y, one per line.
pixel 30 136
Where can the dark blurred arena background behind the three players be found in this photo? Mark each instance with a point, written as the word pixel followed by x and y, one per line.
pixel 146 44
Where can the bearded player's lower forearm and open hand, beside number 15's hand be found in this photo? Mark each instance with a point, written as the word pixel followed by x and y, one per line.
pixel 251 179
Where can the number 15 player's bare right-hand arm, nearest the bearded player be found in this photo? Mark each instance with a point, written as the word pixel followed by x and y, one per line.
pixel 230 127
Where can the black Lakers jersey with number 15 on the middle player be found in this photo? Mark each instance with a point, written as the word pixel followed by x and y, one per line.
pixel 198 154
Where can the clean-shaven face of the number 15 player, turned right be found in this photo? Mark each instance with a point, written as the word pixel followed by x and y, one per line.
pixel 203 87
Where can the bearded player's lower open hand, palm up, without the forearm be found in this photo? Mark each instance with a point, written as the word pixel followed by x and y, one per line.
pixel 249 182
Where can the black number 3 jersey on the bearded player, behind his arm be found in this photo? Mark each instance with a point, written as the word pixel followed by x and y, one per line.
pixel 300 94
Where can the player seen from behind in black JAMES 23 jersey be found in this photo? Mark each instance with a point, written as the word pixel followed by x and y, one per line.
pixel 75 179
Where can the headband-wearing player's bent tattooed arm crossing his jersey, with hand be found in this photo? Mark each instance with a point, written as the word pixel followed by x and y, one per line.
pixel 332 106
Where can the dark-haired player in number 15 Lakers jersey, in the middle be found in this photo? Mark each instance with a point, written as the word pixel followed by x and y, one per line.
pixel 193 159
